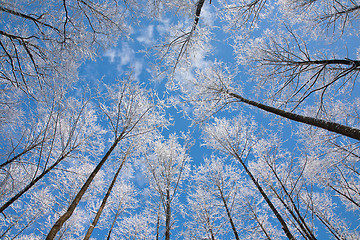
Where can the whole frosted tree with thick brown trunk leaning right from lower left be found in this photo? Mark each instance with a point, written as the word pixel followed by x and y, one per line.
pixel 130 113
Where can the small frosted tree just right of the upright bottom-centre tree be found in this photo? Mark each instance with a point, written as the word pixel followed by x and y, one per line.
pixel 216 196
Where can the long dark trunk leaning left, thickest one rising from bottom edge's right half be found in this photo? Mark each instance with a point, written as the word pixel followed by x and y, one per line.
pixel 270 204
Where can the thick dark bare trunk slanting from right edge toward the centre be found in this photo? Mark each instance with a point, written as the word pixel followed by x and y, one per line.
pixel 330 126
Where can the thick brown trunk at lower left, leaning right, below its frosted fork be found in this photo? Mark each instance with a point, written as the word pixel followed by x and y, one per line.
pixel 54 230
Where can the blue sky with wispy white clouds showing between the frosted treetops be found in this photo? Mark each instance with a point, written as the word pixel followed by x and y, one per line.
pixel 137 54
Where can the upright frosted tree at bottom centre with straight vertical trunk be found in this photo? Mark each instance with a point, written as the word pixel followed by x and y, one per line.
pixel 168 167
